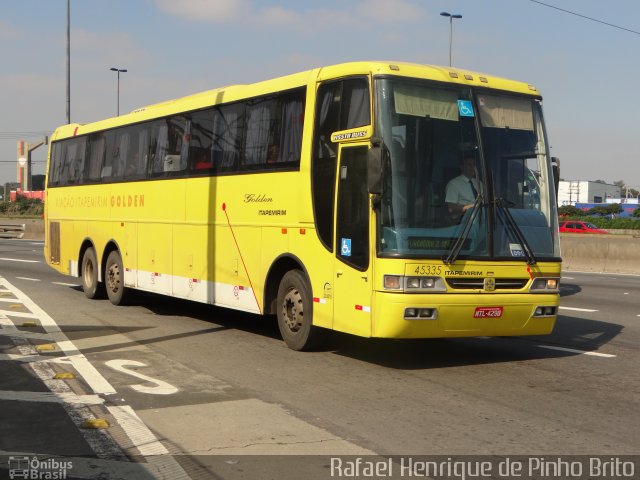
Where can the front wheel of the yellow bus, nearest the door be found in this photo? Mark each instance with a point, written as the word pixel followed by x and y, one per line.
pixel 295 312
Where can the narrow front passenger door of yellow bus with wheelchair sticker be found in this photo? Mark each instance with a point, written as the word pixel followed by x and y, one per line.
pixel 353 283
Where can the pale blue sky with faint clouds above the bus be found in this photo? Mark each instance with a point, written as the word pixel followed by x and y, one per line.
pixel 586 71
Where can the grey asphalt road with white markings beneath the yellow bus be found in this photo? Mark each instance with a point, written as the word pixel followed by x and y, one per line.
pixel 218 389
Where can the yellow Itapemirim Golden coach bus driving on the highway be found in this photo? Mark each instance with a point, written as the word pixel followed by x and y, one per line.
pixel 333 198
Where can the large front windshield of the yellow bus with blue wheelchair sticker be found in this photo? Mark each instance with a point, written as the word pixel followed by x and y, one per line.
pixel 463 166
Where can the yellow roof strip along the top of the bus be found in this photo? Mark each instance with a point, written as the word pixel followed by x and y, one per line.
pixel 237 92
